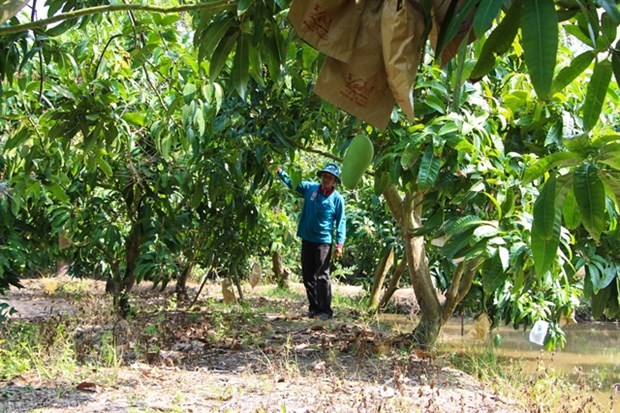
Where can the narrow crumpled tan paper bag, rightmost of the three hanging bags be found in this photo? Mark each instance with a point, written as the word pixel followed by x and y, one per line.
pixel 402 35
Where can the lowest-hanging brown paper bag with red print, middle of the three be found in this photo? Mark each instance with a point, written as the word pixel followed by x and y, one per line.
pixel 360 86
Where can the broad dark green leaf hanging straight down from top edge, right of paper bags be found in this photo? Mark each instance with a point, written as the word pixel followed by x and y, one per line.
pixel 539 28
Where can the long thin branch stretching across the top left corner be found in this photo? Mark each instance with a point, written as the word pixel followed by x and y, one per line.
pixel 215 5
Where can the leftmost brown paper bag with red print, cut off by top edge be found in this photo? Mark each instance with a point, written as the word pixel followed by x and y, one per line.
pixel 330 26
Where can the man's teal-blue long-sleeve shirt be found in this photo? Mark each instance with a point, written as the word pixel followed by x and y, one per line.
pixel 320 214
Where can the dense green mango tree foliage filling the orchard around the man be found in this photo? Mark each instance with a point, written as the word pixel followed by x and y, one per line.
pixel 138 142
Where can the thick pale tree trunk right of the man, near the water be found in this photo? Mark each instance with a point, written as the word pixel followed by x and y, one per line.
pixel 407 213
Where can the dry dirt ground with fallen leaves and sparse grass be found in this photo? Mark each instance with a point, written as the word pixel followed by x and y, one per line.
pixel 279 361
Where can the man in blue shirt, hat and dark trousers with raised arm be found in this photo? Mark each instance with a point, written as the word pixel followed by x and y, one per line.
pixel 322 213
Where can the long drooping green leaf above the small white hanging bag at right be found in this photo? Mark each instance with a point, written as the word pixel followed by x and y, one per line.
pixel 545 237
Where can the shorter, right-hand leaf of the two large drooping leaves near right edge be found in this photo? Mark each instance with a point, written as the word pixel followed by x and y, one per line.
pixel 590 197
